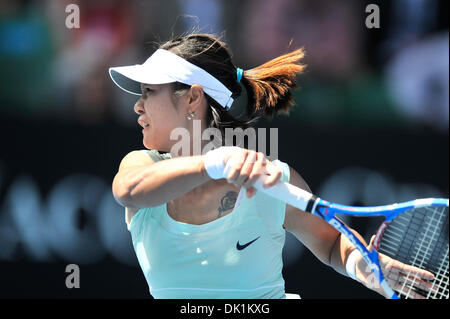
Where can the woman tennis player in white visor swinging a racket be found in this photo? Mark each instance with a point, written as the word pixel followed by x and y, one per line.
pixel 199 228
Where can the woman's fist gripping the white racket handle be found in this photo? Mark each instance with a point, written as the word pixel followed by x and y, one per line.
pixel 244 167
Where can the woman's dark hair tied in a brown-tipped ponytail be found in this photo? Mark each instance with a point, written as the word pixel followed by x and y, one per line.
pixel 268 86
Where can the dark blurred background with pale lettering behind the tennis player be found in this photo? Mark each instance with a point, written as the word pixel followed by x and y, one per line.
pixel 370 126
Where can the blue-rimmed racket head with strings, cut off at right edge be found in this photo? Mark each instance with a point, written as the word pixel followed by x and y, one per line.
pixel 417 234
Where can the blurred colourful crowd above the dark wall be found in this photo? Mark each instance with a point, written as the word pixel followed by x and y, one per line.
pixel 395 74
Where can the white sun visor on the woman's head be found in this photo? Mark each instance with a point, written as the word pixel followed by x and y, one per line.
pixel 166 67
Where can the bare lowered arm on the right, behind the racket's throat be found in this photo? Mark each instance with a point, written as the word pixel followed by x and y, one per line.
pixel 325 242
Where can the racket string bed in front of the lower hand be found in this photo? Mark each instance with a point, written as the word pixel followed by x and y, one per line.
pixel 419 237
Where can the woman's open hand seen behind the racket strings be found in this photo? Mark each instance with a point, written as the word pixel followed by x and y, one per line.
pixel 400 276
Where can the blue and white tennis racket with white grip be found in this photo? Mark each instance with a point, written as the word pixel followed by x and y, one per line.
pixel 414 233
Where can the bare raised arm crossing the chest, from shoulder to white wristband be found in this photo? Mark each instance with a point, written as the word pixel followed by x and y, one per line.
pixel 140 182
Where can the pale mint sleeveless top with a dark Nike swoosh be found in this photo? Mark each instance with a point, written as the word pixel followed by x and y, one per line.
pixel 236 256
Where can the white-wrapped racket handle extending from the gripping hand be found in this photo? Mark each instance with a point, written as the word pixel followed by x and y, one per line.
pixel 285 192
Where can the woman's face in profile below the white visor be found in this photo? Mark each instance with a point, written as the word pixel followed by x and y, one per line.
pixel 159 114
